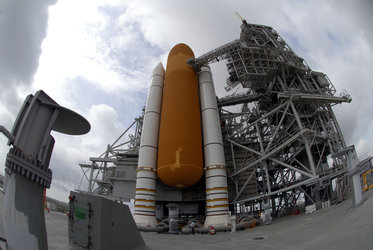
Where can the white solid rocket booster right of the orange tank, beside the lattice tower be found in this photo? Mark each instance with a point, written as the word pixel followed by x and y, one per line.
pixel 217 207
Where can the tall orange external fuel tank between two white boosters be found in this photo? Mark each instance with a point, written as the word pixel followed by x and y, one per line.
pixel 180 158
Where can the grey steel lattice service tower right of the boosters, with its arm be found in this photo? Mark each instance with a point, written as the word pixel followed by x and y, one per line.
pixel 281 132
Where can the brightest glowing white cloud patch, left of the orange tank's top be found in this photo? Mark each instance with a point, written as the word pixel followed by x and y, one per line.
pixel 81 43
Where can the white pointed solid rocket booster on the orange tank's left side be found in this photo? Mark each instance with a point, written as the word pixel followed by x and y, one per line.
pixel 144 214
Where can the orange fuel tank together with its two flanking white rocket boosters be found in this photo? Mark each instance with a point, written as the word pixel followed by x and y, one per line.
pixel 181 143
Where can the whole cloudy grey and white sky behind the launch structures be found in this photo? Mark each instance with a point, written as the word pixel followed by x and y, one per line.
pixel 96 57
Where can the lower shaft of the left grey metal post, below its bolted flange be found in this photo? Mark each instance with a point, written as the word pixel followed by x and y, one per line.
pixel 24 212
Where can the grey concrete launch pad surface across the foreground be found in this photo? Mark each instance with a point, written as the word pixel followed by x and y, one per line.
pixel 340 226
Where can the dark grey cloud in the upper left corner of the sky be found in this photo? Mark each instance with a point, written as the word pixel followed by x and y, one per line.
pixel 22 28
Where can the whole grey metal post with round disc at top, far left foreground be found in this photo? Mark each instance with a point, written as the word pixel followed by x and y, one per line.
pixel 27 168
